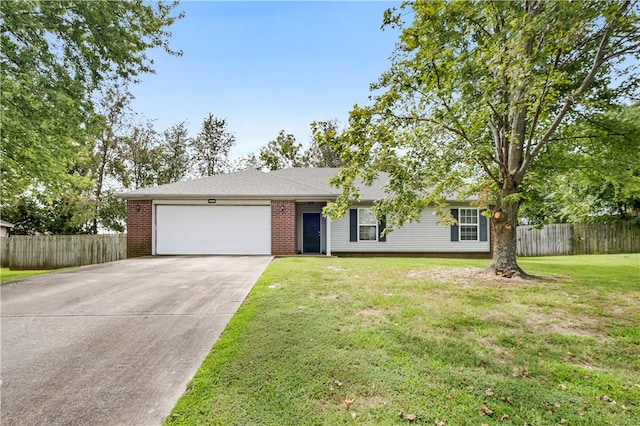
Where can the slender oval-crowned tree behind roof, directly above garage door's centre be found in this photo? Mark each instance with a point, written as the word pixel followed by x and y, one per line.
pixel 211 146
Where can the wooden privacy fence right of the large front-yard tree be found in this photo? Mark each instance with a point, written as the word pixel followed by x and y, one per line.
pixel 575 238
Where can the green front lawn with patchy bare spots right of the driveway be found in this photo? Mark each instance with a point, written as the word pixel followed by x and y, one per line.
pixel 397 338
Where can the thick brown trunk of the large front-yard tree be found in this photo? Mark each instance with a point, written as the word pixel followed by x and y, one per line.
pixel 504 222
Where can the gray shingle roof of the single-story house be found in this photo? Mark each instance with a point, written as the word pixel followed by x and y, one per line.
pixel 286 183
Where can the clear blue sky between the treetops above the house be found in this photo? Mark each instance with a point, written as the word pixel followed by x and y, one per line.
pixel 267 66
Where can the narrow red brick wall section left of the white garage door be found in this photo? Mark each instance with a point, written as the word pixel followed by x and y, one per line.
pixel 139 231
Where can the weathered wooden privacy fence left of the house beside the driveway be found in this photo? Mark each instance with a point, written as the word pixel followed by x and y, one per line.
pixel 61 251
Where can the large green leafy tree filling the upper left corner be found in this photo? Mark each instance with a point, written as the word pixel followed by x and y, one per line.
pixel 54 56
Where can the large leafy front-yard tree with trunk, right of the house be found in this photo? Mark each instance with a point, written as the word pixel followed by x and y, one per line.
pixel 475 94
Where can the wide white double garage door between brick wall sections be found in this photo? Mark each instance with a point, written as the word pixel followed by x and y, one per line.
pixel 213 229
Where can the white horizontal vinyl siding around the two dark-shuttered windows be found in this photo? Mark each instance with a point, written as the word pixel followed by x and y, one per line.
pixel 424 236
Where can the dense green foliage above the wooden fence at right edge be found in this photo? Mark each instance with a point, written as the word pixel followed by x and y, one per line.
pixel 593 174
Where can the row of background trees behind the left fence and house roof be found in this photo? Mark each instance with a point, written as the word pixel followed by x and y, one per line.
pixel 129 153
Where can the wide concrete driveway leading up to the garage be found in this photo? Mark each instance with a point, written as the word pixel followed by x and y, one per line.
pixel 114 344
